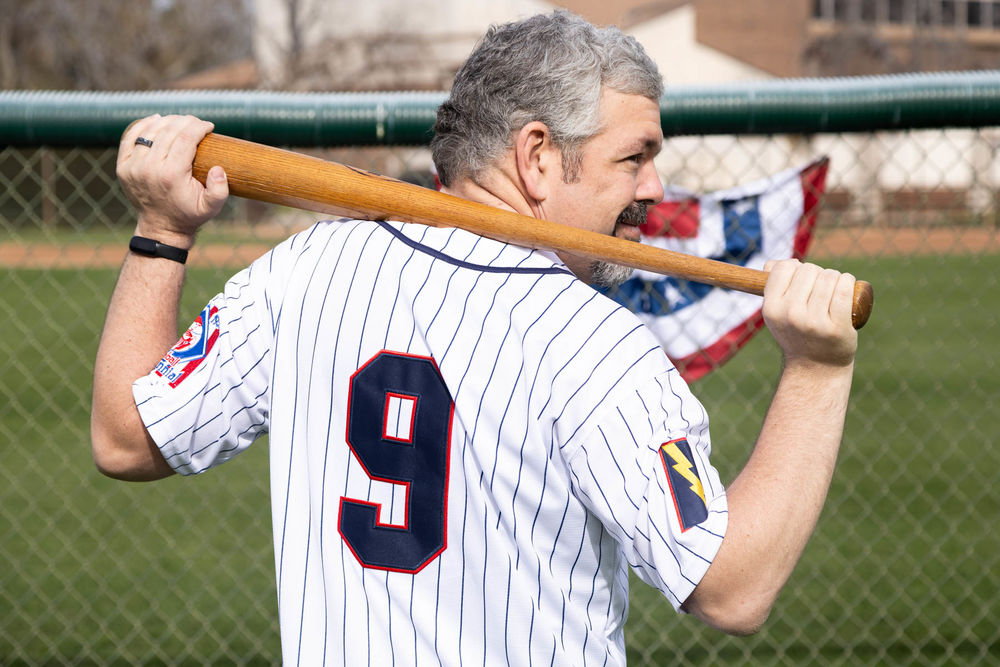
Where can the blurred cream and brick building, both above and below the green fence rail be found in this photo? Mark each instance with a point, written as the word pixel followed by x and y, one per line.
pixel 419 44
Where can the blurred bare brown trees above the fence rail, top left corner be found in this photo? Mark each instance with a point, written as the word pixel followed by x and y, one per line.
pixel 135 44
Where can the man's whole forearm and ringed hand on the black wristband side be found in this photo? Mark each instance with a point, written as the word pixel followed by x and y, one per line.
pixel 154 166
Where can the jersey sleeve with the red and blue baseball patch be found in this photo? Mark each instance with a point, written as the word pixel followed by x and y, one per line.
pixel 208 398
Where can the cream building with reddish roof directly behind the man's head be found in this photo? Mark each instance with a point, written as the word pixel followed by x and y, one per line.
pixel 419 44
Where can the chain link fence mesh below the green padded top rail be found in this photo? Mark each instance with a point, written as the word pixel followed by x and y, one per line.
pixel 904 566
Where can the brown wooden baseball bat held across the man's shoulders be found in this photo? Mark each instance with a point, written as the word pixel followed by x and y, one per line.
pixel 293 179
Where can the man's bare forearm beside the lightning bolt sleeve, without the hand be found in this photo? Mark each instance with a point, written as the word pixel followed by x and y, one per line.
pixel 776 500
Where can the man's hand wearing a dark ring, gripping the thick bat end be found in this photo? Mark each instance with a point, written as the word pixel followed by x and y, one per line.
pixel 171 204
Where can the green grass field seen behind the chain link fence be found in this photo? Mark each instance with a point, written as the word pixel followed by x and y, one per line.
pixel 903 568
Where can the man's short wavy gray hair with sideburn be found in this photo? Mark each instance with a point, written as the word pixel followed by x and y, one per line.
pixel 549 68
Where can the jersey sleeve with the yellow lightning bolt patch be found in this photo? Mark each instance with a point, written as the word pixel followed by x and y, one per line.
pixel 644 470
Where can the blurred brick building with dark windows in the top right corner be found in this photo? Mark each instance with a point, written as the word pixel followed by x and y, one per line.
pixel 853 37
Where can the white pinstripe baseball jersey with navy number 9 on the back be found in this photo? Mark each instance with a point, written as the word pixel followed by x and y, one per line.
pixel 465 447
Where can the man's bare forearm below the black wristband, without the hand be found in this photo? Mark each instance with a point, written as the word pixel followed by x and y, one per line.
pixel 141 326
